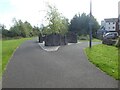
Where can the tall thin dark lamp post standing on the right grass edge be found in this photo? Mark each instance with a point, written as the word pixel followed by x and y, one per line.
pixel 90 25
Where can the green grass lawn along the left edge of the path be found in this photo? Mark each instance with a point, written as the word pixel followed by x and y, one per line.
pixel 8 48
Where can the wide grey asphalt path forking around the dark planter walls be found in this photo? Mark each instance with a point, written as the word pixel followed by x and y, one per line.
pixel 32 67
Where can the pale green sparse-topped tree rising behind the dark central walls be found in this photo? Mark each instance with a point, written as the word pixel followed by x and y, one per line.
pixel 57 23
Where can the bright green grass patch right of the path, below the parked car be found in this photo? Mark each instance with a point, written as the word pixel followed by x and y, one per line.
pixel 105 57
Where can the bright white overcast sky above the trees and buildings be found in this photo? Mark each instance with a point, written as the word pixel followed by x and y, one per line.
pixel 32 10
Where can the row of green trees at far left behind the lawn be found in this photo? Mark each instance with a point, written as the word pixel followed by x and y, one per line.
pixel 19 29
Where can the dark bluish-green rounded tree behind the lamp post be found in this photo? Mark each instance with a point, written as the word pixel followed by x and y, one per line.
pixel 80 24
